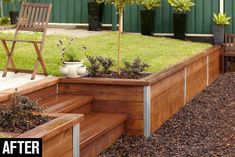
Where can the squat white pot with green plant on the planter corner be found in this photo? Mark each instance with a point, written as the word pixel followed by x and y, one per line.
pixel 70 64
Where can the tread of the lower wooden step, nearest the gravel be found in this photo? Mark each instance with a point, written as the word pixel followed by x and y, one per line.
pixel 96 124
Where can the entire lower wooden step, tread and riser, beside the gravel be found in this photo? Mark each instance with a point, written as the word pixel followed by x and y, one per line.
pixel 99 131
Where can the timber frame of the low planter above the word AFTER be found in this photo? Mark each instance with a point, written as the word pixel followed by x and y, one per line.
pixel 55 134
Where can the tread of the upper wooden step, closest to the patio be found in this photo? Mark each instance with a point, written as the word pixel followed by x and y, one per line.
pixel 64 103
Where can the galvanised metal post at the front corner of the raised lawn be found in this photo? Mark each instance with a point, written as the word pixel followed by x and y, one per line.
pixel 147 111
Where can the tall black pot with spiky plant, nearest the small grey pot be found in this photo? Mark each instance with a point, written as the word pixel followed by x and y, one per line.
pixel 181 9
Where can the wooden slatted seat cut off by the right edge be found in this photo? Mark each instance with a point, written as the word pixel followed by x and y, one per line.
pixel 229 50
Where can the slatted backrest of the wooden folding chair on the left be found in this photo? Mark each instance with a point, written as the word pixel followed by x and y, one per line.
pixel 34 17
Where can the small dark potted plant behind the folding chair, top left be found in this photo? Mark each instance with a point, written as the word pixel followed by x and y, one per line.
pixel 14 14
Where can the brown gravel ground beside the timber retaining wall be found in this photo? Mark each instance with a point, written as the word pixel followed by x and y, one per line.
pixel 204 127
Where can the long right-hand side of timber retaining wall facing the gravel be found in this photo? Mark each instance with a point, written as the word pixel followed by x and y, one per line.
pixel 176 86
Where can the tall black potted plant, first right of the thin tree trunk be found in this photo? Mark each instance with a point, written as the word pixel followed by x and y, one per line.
pixel 147 16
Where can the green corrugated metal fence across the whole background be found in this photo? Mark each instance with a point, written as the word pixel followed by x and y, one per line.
pixel 199 19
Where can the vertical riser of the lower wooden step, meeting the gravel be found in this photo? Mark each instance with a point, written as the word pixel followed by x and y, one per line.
pixel 103 142
